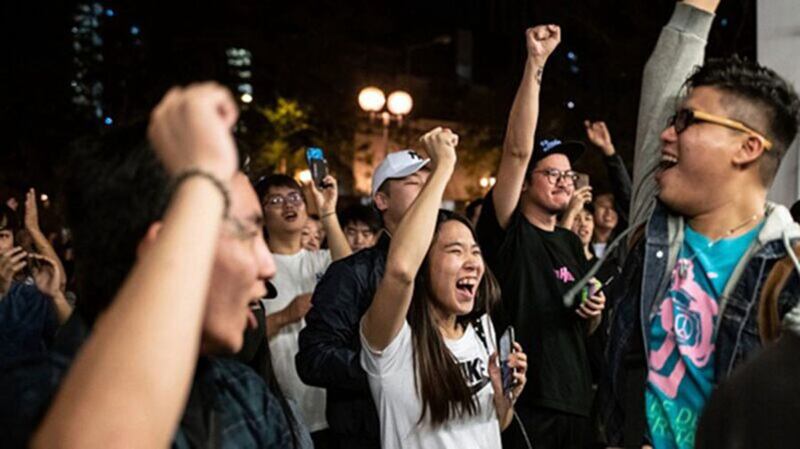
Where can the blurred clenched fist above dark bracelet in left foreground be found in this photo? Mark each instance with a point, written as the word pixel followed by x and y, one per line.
pixel 191 128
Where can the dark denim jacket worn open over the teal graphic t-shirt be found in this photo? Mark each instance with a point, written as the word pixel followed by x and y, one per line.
pixel 644 282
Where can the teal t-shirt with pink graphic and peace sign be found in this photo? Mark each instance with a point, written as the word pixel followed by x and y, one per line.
pixel 681 337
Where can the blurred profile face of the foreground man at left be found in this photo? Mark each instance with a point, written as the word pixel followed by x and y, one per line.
pixel 242 264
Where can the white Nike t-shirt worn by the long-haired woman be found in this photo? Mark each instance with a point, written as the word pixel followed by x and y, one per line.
pixel 391 380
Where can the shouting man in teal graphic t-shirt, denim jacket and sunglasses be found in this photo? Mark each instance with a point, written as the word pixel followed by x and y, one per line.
pixel 687 303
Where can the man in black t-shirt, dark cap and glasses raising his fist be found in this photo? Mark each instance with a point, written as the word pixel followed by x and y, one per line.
pixel 536 262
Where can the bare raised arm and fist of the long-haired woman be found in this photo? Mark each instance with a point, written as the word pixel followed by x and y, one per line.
pixel 387 313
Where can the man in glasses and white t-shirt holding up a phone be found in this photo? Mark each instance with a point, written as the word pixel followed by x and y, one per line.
pixel 297 273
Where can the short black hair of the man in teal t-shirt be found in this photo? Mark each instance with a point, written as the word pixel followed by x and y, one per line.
pixel 771 97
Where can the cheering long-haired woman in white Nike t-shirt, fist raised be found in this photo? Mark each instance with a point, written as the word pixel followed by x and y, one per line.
pixel 428 344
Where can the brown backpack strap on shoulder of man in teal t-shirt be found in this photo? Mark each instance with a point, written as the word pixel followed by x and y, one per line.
pixel 769 322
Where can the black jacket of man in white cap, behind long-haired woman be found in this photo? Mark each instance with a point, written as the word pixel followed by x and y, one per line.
pixel 330 343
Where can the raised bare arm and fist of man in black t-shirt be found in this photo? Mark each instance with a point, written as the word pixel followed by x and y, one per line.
pixel 518 143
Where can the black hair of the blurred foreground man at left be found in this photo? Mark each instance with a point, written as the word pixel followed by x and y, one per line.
pixel 115 189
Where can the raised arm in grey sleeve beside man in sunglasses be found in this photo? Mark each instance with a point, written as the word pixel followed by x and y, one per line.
pixel 680 48
